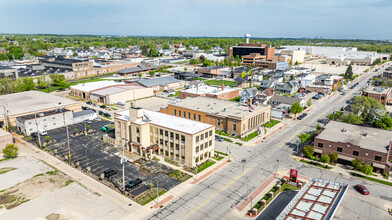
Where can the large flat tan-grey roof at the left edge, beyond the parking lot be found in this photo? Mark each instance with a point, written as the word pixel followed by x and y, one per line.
pixel 30 101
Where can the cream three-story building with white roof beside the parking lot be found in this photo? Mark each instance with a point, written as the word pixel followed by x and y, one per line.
pixel 148 133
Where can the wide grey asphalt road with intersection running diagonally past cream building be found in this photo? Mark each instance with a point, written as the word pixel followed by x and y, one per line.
pixel 216 196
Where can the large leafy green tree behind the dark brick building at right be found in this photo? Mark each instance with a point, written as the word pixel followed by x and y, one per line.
pixel 368 108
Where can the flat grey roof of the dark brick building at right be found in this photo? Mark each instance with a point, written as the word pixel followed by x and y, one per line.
pixel 368 138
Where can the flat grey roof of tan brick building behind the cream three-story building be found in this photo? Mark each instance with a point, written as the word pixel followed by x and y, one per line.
pixel 217 106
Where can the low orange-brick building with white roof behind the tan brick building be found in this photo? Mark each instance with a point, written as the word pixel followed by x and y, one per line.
pixel 202 89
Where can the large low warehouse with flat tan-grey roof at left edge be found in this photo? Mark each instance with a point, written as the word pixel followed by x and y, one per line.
pixel 29 102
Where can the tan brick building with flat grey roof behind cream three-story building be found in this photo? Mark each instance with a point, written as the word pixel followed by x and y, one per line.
pixel 231 117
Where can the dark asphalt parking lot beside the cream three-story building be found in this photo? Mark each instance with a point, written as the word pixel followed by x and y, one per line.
pixel 90 151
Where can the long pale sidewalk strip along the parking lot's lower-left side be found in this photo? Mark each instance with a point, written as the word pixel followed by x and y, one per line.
pixel 27 149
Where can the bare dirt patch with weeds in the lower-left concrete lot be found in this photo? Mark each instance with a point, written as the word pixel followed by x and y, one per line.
pixel 32 188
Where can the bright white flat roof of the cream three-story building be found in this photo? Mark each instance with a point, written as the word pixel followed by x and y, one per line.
pixel 168 121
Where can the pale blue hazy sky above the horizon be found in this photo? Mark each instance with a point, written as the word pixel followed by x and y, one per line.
pixel 338 19
